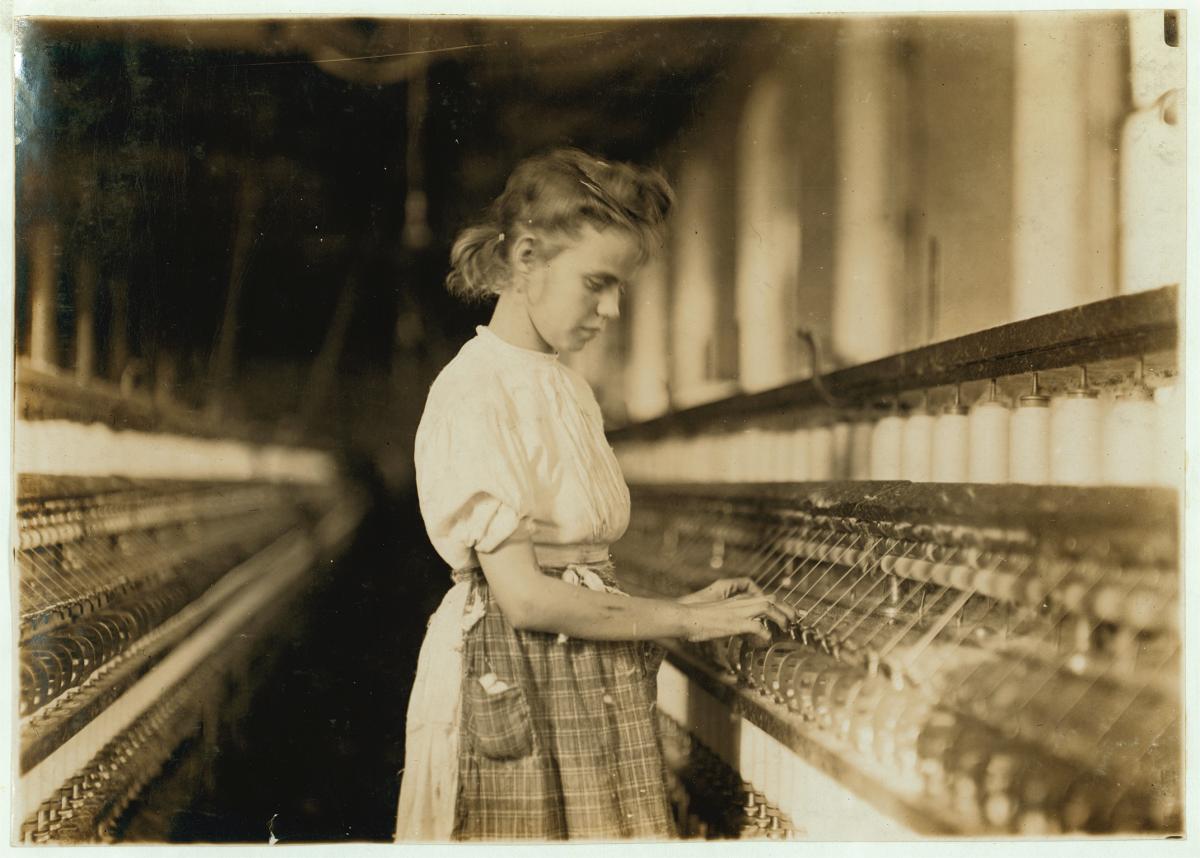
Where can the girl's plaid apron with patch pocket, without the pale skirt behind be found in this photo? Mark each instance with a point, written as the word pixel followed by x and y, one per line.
pixel 559 736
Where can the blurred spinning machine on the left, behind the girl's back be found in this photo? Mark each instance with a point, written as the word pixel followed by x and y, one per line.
pixel 157 574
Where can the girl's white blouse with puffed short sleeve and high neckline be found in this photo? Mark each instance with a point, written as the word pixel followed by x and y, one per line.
pixel 513 440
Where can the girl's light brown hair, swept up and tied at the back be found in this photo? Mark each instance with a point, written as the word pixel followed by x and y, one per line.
pixel 559 193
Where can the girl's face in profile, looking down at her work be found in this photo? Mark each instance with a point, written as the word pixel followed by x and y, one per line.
pixel 572 296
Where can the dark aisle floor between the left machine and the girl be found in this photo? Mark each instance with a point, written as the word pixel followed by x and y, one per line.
pixel 314 752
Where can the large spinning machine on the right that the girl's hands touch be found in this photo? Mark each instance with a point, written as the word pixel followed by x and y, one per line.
pixel 974 655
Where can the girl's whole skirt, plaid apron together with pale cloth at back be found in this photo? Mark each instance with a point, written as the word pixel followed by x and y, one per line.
pixel 530 735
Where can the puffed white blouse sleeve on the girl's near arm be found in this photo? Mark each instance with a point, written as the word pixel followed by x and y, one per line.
pixel 472 481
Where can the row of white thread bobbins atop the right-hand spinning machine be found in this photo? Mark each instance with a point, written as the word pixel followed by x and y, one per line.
pixel 1076 439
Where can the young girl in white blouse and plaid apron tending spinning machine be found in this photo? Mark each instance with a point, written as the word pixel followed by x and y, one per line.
pixel 532 715
